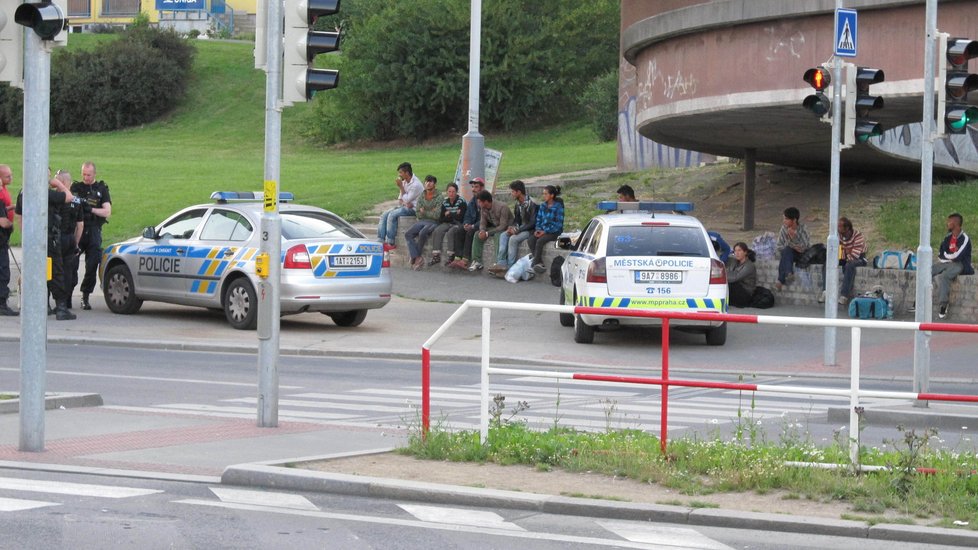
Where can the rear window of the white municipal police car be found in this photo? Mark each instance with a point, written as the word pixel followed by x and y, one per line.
pixel 648 240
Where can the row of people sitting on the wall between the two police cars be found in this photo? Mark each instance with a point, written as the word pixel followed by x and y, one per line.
pixel 461 229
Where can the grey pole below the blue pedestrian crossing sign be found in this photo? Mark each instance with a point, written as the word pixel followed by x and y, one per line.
pixel 832 242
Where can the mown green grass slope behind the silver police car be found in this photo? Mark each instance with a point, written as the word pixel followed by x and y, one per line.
pixel 216 141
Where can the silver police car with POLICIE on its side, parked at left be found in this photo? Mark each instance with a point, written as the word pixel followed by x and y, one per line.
pixel 204 256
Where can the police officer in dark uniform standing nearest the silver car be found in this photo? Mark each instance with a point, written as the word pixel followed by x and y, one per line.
pixel 97 206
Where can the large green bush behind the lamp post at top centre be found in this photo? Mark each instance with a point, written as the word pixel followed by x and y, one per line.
pixel 406 68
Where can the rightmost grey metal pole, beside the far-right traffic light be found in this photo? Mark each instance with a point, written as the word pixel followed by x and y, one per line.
pixel 924 294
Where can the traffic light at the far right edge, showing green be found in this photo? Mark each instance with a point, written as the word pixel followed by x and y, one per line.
pixel 953 111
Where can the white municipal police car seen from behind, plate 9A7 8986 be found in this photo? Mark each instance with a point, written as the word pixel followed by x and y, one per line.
pixel 644 257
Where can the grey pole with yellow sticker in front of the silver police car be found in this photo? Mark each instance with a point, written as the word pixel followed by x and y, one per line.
pixel 269 307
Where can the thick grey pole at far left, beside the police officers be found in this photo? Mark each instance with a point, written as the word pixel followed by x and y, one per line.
pixel 34 294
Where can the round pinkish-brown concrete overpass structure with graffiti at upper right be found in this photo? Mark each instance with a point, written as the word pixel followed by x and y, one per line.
pixel 725 77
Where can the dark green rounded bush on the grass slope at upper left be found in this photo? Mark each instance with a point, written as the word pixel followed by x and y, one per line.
pixel 121 83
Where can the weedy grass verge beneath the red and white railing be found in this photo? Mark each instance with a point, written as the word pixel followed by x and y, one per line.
pixel 750 460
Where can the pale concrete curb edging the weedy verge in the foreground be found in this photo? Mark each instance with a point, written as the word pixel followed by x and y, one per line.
pixel 271 476
